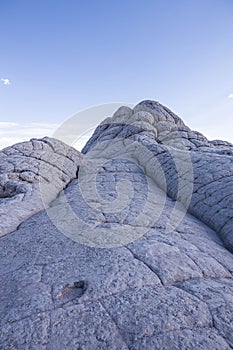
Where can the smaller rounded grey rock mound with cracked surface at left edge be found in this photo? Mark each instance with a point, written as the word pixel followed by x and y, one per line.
pixel 31 175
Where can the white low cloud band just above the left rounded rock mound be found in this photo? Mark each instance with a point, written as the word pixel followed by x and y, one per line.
pixel 11 133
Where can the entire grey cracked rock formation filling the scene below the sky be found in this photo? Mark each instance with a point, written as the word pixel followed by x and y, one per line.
pixel 134 247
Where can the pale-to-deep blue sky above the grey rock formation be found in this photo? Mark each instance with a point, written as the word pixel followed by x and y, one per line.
pixel 67 55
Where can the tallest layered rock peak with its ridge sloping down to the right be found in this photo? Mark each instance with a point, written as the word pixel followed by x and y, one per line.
pixel 203 168
